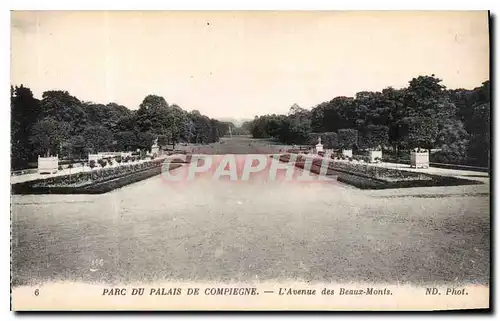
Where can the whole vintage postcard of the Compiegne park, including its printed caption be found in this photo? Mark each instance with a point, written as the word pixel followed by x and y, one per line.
pixel 250 160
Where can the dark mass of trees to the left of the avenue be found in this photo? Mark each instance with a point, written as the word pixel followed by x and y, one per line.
pixel 61 124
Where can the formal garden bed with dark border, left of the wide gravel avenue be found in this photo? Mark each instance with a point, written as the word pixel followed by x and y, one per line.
pixel 93 181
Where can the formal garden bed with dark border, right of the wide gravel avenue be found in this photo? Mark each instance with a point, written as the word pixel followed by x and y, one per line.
pixel 367 176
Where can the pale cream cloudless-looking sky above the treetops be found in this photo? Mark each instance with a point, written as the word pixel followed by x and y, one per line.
pixel 241 64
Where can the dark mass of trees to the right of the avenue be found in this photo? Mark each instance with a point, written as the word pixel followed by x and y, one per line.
pixel 422 115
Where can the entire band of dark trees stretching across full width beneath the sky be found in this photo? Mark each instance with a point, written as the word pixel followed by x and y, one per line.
pixel 424 114
